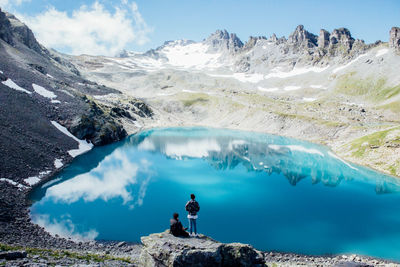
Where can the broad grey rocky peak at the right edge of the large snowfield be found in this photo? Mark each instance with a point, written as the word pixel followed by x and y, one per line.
pixel 222 40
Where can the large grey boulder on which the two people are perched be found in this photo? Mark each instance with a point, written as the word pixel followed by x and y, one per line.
pixel 164 249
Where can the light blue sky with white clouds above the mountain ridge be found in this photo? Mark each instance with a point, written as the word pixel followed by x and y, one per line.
pixel 106 27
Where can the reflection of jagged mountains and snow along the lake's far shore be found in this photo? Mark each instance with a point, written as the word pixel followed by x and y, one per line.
pixel 262 153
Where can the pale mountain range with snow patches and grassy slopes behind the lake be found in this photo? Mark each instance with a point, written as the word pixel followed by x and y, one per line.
pixel 330 88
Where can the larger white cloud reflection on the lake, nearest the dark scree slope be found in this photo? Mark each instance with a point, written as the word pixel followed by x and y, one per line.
pixel 112 178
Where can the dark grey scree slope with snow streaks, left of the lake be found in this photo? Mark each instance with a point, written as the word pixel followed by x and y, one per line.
pixel 40 94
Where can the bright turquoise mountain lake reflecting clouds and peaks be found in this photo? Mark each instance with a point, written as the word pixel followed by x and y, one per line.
pixel 272 192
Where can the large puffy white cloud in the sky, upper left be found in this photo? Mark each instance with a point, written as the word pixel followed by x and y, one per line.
pixel 90 29
